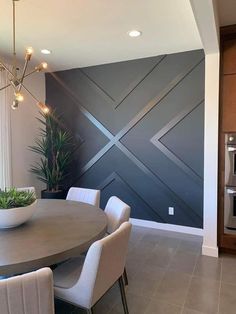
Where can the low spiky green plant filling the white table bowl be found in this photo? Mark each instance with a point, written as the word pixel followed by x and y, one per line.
pixel 13 198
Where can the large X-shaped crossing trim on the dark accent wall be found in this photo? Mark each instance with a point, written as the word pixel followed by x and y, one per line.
pixel 115 140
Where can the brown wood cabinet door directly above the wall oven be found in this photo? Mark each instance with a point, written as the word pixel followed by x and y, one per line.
pixel 229 103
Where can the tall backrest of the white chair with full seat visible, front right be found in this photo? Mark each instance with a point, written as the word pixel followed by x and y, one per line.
pixel 104 264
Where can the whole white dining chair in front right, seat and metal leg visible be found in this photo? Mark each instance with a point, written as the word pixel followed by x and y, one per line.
pixel 83 284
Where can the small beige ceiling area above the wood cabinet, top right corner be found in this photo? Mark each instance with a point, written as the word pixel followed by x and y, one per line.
pixel 227 12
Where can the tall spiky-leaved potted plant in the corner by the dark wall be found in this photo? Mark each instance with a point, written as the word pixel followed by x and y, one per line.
pixel 54 147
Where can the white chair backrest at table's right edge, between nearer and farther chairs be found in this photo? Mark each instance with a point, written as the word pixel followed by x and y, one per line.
pixel 117 212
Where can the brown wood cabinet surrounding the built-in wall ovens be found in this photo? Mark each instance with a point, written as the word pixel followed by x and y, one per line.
pixel 227 124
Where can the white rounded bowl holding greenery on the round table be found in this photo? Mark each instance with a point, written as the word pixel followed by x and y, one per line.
pixel 13 217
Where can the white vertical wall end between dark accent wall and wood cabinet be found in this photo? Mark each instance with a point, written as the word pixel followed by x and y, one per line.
pixel 211 154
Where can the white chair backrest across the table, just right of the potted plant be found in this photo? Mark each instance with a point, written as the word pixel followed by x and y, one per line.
pixel 89 196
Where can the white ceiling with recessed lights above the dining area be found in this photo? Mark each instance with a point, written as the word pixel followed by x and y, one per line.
pixel 82 33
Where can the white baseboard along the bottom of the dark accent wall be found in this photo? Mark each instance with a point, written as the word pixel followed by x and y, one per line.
pixel 167 227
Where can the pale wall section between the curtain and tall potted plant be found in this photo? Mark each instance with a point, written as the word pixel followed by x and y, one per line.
pixel 24 129
